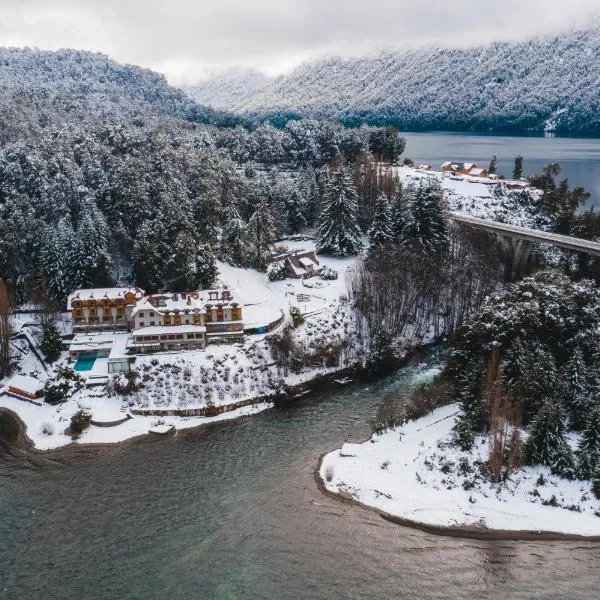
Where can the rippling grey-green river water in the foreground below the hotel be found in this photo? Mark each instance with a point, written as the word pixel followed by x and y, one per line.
pixel 232 511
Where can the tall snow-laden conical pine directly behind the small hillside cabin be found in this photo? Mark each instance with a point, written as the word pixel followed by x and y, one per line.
pixel 339 233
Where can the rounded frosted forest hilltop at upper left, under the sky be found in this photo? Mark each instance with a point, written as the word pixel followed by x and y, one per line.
pixel 42 87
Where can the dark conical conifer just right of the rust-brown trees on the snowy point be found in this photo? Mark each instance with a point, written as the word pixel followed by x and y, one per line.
pixel 546 444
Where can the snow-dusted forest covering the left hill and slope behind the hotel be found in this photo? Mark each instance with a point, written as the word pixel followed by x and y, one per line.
pixel 108 175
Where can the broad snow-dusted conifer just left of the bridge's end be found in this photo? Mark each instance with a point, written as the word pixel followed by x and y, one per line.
pixel 425 228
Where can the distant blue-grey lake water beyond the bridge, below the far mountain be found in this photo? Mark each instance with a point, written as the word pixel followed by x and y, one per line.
pixel 579 158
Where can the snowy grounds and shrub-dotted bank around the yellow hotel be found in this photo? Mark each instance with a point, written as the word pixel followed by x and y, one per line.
pixel 220 375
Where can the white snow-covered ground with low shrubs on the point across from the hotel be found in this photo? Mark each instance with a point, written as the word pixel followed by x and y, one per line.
pixel 414 472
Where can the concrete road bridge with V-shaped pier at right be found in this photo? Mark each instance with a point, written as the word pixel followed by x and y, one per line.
pixel 516 241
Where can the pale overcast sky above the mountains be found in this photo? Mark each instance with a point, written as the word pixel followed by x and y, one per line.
pixel 188 39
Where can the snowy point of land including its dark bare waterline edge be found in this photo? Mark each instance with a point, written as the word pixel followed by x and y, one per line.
pixel 394 475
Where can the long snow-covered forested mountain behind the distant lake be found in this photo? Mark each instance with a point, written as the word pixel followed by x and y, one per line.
pixel 547 83
